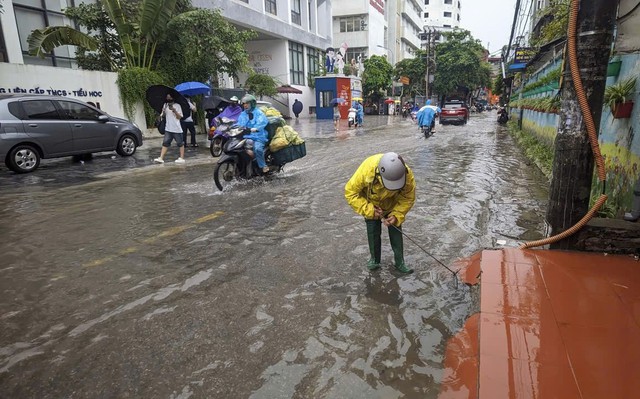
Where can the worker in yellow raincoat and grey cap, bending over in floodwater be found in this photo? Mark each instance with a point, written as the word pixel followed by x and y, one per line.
pixel 383 190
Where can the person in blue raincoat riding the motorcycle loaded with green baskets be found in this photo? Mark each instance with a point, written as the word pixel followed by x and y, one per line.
pixel 253 118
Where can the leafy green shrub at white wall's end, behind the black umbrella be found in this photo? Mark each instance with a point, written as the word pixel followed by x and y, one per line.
pixel 133 84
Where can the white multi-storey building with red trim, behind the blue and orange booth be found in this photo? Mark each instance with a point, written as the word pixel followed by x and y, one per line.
pixel 376 27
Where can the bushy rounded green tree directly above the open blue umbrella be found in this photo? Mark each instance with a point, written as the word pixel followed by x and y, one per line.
pixel 203 44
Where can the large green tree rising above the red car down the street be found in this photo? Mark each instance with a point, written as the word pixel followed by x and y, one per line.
pixel 459 64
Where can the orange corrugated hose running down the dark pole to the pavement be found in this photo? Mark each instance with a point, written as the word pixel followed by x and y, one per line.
pixel 591 130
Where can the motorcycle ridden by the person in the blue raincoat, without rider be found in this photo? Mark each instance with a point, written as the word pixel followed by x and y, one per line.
pixel 235 163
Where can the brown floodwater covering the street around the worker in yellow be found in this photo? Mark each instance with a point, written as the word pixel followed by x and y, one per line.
pixel 151 283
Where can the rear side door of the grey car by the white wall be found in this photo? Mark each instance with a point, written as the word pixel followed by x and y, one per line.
pixel 42 122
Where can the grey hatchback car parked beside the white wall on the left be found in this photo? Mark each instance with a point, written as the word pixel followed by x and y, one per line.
pixel 33 127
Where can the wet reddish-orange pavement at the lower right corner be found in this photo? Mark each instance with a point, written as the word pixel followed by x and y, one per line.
pixel 552 324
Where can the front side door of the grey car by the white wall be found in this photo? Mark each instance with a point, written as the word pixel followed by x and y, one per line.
pixel 89 133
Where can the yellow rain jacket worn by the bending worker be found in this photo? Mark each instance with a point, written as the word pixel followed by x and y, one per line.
pixel 365 190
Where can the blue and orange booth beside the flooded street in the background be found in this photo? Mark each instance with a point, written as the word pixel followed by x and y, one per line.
pixel 330 88
